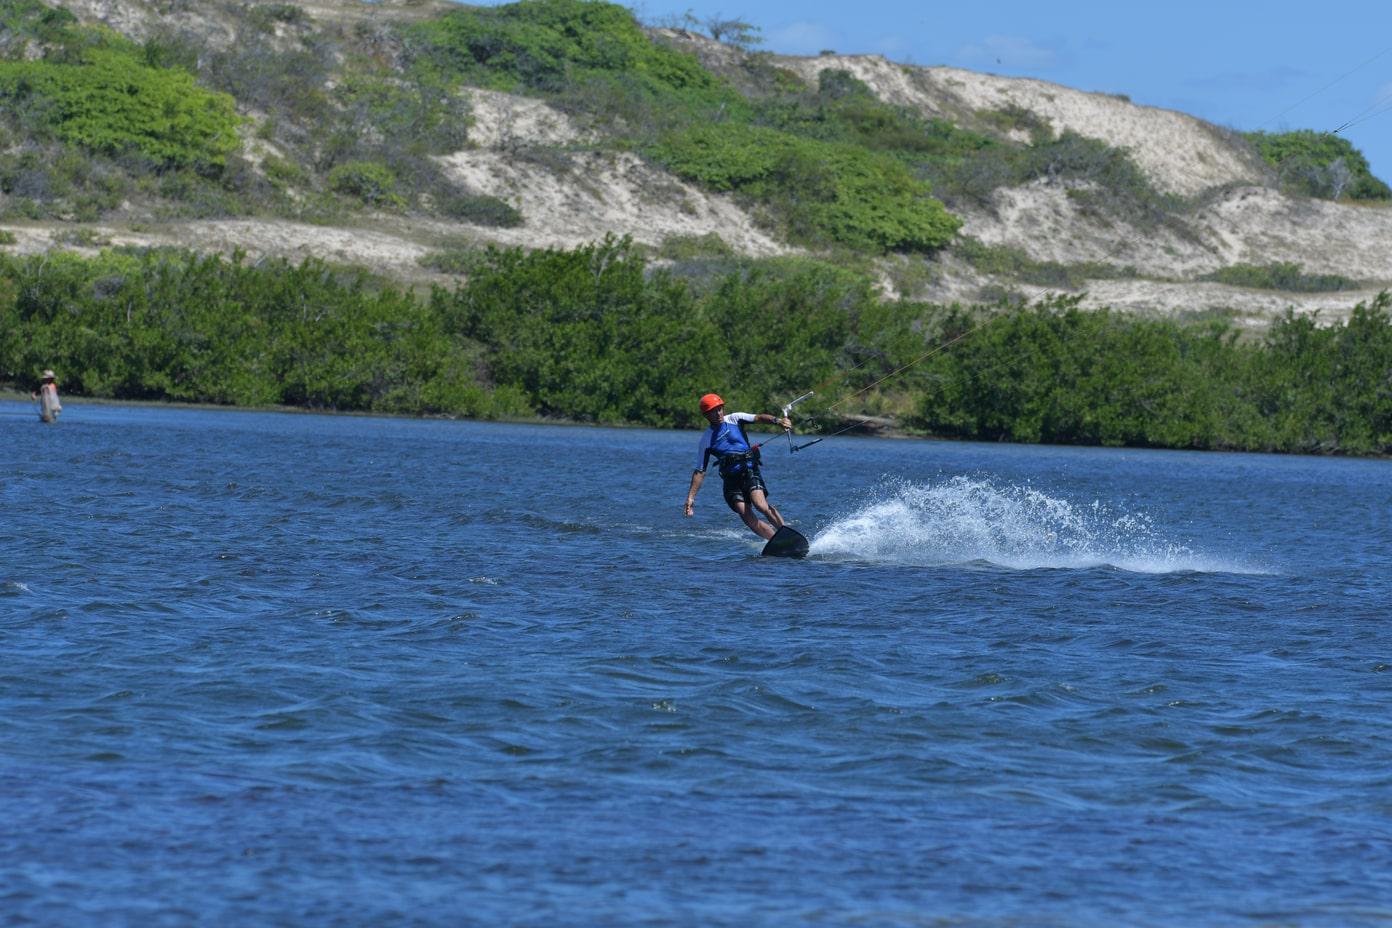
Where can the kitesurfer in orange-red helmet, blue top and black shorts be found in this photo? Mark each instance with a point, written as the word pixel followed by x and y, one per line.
pixel 738 464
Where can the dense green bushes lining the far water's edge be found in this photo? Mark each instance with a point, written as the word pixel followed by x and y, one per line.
pixel 599 336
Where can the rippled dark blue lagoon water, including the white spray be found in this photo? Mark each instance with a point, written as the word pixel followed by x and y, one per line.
pixel 286 670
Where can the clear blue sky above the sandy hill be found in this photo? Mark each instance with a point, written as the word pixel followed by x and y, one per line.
pixel 1267 66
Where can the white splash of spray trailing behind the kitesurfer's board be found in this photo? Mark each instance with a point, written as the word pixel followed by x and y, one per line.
pixel 967 520
